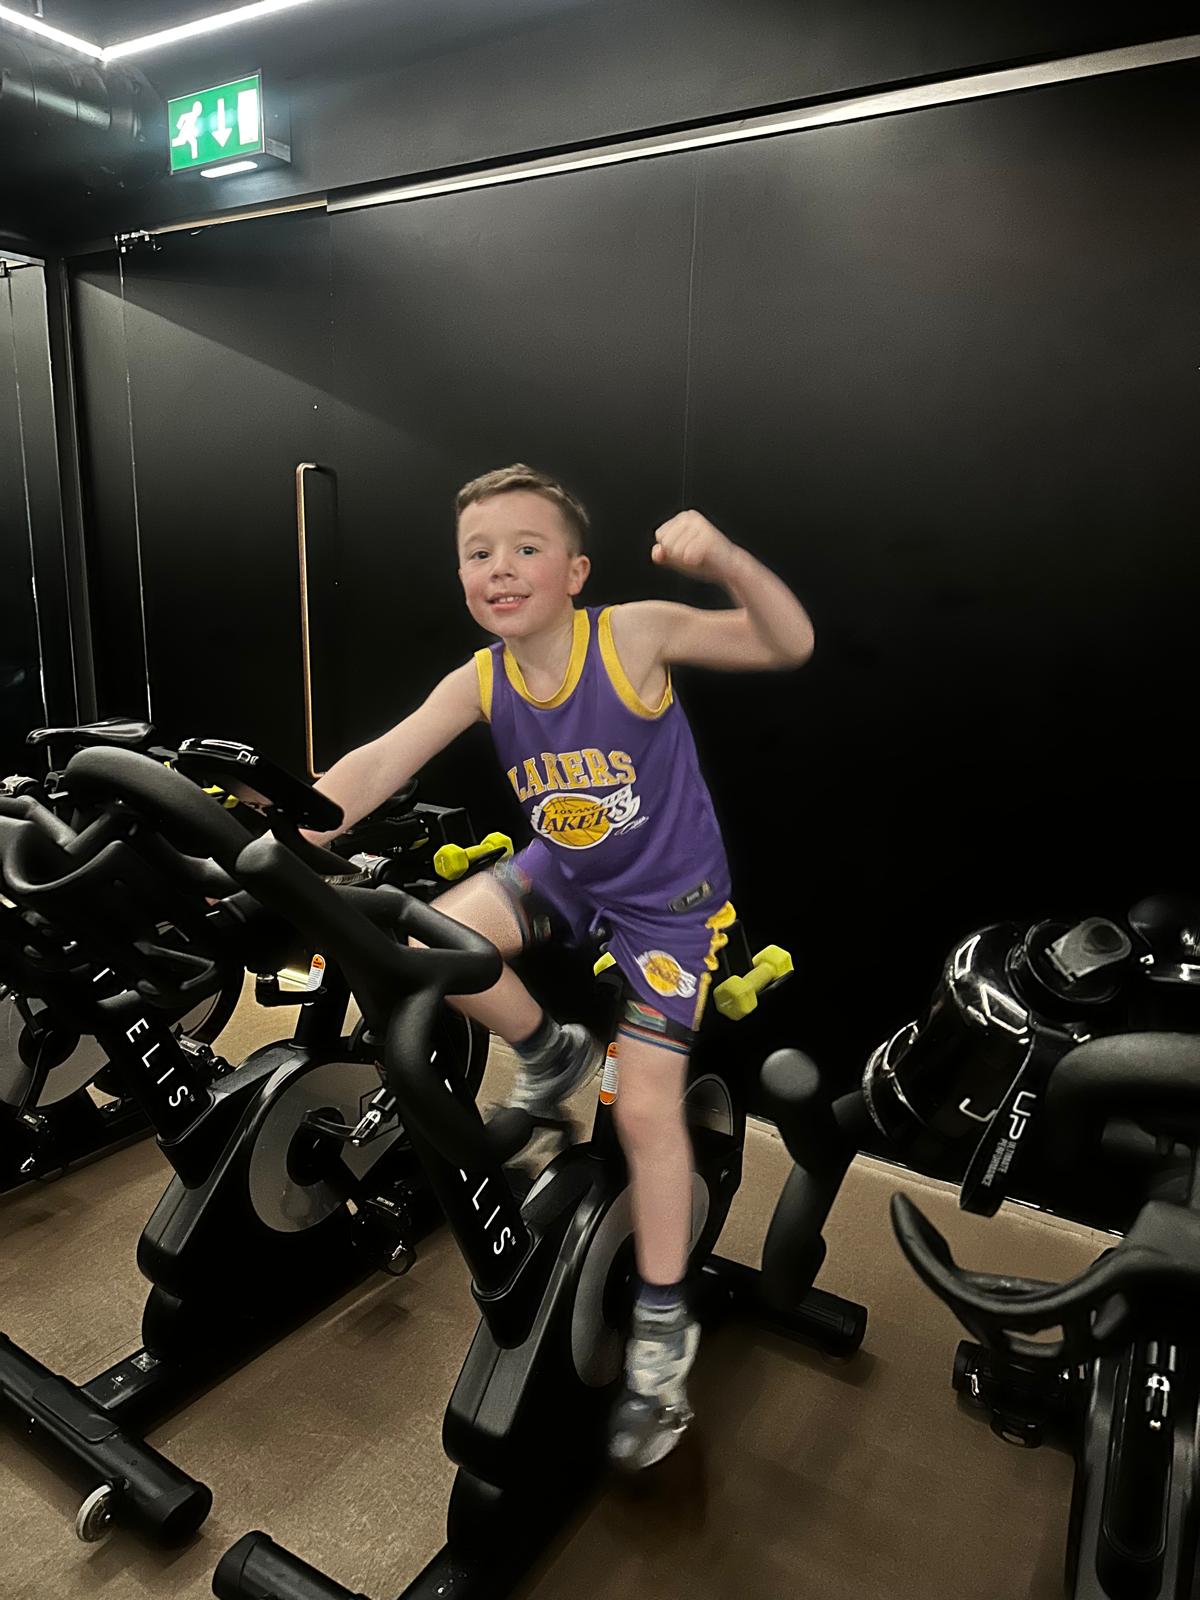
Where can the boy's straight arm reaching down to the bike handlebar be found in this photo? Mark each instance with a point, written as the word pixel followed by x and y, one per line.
pixel 367 777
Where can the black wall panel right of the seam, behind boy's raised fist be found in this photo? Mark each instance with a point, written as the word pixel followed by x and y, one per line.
pixel 946 383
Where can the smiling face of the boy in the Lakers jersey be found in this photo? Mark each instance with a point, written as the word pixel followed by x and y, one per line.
pixel 514 558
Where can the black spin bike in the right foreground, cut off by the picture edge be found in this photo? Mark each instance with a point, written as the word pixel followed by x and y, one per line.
pixel 1122 1378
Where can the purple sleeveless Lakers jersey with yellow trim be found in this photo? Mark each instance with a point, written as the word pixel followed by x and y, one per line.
pixel 612 785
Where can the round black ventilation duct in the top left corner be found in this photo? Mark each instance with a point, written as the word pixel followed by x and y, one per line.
pixel 70 124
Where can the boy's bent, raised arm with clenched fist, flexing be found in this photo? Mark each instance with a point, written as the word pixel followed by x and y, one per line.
pixel 769 630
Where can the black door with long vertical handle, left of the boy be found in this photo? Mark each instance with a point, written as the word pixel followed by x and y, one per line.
pixel 206 375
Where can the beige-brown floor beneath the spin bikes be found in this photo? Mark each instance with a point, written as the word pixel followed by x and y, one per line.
pixel 801 1479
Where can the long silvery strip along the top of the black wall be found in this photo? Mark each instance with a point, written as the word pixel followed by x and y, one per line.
pixel 857 108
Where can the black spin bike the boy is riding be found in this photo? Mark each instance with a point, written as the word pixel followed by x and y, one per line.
pixel 553 1274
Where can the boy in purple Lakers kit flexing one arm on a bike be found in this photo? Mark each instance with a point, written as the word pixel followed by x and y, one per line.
pixel 602 761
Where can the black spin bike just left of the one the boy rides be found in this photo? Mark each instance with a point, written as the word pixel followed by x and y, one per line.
pixel 292 1183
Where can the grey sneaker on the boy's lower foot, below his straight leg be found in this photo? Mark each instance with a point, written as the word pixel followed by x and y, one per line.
pixel 652 1412
